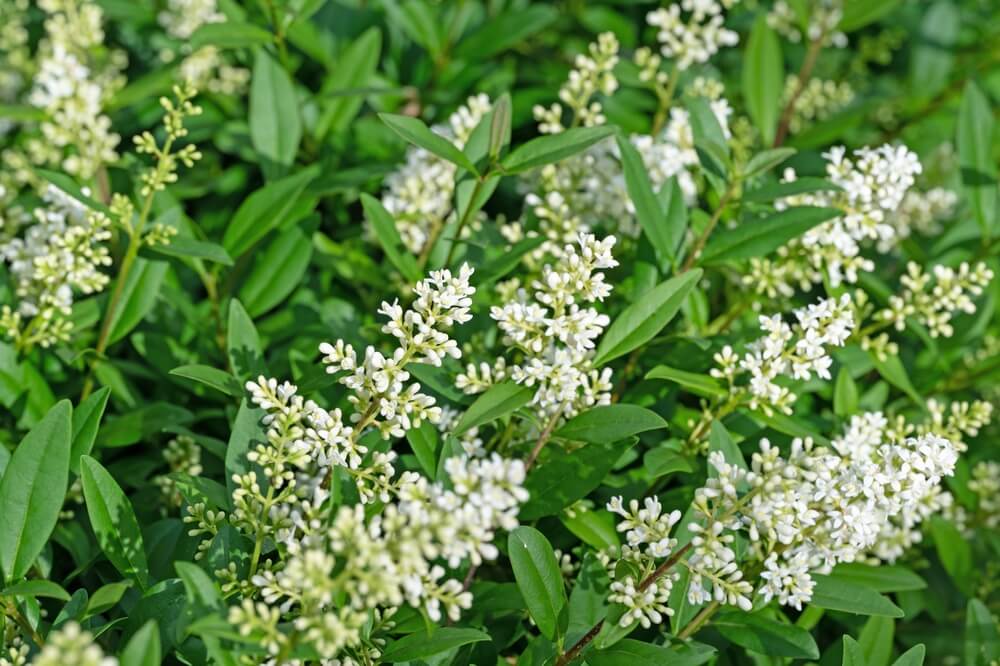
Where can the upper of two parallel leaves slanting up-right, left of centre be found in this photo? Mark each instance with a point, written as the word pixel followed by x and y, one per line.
pixel 268 208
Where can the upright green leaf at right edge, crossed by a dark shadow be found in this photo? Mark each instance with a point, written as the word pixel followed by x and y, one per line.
pixel 975 156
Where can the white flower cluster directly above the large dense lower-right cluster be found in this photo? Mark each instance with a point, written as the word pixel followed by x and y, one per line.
pixel 790 351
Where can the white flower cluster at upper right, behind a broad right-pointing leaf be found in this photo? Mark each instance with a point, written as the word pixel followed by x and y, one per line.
pixel 873 186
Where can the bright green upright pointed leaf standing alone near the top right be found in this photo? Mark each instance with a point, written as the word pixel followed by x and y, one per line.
pixel 763 78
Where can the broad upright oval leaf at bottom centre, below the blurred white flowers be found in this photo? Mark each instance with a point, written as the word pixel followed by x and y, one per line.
pixel 538 577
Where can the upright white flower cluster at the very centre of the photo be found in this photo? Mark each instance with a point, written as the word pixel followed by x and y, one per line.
pixel 554 335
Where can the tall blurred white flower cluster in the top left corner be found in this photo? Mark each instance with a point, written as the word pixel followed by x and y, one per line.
pixel 71 87
